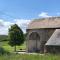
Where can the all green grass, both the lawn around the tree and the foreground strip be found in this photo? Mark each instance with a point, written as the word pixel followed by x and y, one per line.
pixel 13 56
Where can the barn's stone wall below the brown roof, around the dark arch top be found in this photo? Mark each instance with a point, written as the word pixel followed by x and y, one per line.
pixel 44 34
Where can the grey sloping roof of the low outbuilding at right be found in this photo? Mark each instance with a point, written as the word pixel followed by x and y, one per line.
pixel 54 39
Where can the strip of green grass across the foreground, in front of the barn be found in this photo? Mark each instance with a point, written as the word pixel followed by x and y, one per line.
pixel 30 57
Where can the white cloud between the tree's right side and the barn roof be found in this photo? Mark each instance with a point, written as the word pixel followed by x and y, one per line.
pixel 22 23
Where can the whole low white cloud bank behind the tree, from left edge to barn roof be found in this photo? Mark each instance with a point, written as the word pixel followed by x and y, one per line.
pixel 4 25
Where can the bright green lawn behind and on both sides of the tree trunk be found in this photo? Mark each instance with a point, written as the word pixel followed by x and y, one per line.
pixel 7 47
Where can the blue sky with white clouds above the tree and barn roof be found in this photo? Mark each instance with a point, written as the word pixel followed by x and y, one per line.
pixel 22 12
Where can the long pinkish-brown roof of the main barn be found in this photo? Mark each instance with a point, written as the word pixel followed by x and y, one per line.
pixel 51 22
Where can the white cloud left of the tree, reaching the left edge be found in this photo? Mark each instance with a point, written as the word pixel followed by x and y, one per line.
pixel 4 25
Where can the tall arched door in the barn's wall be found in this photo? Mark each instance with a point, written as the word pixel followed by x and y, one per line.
pixel 35 46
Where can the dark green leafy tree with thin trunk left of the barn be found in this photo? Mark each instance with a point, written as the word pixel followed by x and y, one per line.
pixel 16 36
